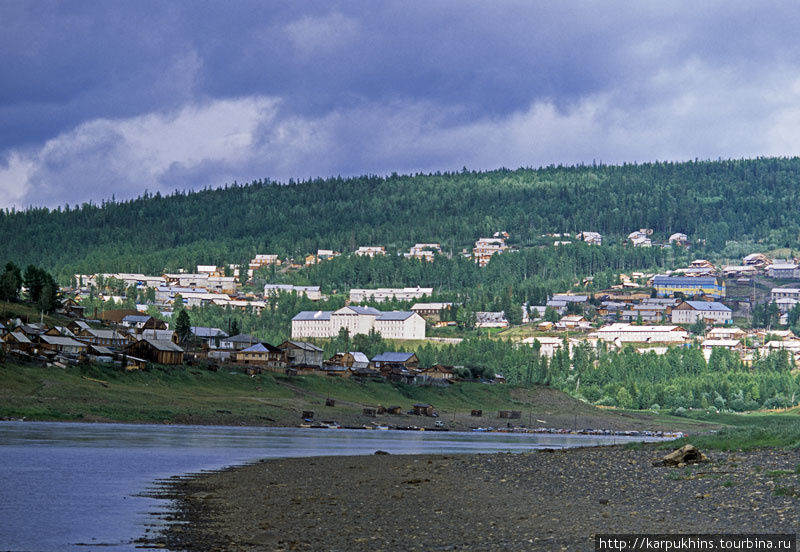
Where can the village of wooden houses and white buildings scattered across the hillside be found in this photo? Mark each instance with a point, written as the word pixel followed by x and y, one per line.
pixel 650 312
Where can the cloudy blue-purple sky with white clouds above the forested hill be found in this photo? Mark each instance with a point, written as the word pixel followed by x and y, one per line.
pixel 109 99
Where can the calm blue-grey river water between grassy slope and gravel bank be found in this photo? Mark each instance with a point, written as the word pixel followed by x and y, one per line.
pixel 74 486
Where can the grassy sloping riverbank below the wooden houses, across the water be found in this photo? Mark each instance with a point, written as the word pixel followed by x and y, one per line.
pixel 194 396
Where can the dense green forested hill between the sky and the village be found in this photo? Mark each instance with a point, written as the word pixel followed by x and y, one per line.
pixel 755 200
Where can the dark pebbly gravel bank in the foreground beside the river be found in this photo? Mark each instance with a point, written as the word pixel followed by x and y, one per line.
pixel 545 500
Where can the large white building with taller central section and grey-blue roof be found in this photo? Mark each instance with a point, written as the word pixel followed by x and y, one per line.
pixel 391 325
